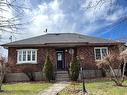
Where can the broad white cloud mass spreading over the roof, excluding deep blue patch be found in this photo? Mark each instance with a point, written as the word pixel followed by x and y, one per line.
pixel 70 16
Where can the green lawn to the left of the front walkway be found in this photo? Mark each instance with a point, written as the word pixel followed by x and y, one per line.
pixel 24 88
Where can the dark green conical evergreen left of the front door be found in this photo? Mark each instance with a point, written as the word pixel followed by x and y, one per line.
pixel 48 69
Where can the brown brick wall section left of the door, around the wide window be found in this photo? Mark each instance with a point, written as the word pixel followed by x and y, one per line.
pixel 41 53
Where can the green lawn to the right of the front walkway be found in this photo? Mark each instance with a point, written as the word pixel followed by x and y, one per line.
pixel 96 88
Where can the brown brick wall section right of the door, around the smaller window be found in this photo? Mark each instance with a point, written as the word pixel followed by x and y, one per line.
pixel 88 57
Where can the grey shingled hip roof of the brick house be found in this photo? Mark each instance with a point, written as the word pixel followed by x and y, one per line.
pixel 59 38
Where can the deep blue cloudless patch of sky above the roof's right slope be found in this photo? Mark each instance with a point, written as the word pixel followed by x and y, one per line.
pixel 116 31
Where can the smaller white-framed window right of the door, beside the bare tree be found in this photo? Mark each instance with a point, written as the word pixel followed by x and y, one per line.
pixel 100 52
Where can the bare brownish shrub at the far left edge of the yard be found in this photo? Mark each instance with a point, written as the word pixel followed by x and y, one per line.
pixel 2 71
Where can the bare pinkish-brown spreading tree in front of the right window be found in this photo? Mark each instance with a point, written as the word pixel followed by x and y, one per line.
pixel 114 61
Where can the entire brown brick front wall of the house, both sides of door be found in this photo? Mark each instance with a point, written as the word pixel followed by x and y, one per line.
pixel 86 52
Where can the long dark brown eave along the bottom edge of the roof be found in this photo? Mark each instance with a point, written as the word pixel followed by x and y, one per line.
pixel 62 44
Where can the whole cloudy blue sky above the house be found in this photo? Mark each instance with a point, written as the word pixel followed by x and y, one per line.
pixel 104 20
